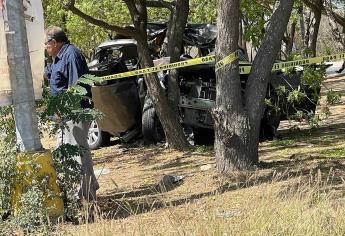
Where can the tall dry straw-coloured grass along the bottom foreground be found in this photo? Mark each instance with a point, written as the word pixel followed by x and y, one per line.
pixel 276 208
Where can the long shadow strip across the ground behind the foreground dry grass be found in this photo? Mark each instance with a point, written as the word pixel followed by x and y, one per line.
pixel 122 205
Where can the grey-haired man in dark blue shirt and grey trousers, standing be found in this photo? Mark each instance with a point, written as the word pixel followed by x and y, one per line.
pixel 67 67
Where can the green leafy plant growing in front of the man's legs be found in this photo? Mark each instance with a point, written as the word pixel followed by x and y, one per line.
pixel 56 111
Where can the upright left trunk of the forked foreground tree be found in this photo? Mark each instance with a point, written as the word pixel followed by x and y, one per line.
pixel 231 123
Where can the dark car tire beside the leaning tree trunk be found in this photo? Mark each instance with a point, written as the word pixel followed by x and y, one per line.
pixel 149 126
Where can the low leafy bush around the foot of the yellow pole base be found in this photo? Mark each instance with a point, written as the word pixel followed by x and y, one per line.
pixel 32 216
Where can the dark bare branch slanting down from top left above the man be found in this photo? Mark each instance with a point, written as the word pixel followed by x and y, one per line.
pixel 70 6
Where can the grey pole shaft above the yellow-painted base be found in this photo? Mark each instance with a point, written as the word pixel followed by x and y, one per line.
pixel 21 78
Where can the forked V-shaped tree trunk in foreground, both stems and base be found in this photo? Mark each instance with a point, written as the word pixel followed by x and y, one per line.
pixel 237 120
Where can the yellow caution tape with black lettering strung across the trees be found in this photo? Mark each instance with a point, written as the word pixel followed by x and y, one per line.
pixel 227 60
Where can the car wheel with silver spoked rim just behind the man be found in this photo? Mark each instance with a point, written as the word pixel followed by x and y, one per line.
pixel 97 138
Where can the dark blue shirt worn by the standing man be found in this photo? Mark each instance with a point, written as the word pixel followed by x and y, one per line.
pixel 68 66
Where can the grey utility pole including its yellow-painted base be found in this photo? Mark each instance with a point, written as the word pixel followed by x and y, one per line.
pixel 23 100
